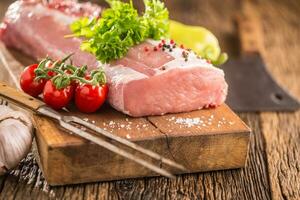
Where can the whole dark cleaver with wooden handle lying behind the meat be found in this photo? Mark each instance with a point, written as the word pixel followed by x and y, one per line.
pixel 251 87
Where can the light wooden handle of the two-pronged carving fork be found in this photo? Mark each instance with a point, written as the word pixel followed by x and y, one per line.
pixel 19 98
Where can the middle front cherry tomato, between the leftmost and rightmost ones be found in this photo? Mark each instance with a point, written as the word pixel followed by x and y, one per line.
pixel 57 98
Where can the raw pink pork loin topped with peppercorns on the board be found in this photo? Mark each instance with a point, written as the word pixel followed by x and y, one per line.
pixel 145 82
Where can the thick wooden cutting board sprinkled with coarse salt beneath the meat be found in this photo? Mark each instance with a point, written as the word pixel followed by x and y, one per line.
pixel 204 140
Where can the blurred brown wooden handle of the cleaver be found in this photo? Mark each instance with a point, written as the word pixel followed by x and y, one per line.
pixel 249 29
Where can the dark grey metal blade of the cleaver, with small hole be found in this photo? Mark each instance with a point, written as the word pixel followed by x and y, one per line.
pixel 252 89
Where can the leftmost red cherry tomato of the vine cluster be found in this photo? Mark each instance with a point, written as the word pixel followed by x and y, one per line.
pixel 28 84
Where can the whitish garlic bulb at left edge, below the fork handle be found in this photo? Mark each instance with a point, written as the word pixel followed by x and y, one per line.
pixel 16 134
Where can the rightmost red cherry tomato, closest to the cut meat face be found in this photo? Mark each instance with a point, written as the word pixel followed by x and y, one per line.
pixel 89 98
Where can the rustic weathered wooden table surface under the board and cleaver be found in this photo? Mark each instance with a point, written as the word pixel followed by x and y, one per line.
pixel 273 167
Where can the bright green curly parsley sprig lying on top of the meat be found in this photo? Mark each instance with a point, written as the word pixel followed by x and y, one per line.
pixel 120 27
